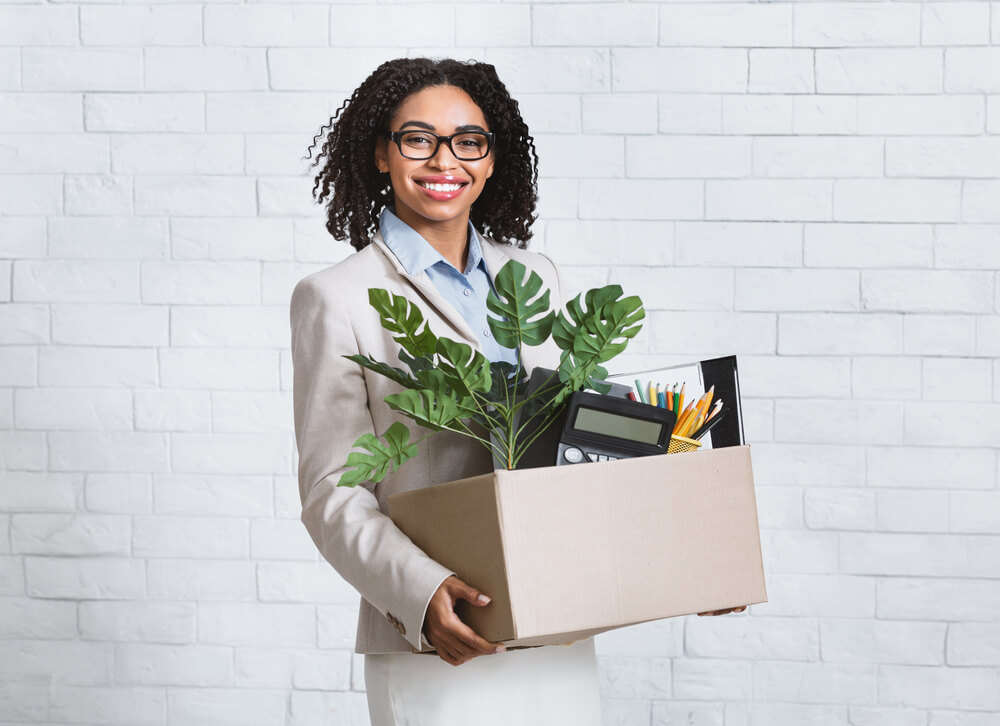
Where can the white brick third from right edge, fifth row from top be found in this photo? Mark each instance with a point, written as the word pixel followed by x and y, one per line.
pixel 769 200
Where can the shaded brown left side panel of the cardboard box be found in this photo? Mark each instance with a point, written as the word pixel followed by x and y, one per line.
pixel 457 524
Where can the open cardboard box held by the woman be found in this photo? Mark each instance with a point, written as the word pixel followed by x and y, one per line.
pixel 570 551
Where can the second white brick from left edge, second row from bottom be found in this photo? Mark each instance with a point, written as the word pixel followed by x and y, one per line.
pixel 171 665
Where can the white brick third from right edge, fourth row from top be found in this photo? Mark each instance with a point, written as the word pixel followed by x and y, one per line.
pixel 687 157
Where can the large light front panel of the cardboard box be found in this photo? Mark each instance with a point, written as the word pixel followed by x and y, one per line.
pixel 608 544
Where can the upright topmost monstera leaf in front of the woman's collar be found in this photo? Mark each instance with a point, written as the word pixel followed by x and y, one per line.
pixel 518 303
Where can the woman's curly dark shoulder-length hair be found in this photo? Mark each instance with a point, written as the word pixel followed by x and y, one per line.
pixel 358 192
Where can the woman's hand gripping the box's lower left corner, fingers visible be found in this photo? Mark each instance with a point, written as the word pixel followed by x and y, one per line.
pixel 455 641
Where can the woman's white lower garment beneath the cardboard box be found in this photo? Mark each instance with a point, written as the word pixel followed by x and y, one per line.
pixel 549 686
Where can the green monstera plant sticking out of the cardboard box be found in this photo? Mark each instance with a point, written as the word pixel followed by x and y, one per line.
pixel 449 386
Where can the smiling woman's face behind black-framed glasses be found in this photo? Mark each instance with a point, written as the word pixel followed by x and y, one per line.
pixel 440 189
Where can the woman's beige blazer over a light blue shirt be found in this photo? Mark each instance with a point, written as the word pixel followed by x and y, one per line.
pixel 336 401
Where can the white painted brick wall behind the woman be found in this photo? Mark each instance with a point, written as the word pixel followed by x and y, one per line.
pixel 814 186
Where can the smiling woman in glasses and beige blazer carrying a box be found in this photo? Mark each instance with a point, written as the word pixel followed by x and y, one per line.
pixel 424 161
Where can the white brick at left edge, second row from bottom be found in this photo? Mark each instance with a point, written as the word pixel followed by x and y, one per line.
pixel 56 663
